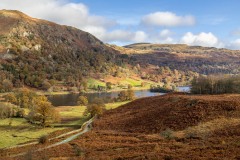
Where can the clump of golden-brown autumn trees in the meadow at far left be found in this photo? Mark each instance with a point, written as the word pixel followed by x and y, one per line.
pixel 41 110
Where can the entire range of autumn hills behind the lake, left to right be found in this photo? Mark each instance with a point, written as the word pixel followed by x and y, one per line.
pixel 40 54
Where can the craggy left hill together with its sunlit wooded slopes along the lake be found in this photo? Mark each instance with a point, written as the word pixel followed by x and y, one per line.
pixel 40 54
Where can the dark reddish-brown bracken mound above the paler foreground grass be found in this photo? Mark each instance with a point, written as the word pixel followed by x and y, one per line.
pixel 176 112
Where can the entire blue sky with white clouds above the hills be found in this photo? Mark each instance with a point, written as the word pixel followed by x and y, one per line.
pixel 211 23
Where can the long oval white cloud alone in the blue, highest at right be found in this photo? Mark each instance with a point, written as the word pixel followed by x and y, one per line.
pixel 167 19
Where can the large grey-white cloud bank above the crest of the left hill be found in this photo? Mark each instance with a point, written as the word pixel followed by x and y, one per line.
pixel 62 12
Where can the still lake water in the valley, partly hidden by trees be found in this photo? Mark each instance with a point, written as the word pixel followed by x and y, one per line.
pixel 71 99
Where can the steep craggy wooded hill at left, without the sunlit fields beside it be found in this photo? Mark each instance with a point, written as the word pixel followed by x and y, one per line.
pixel 32 50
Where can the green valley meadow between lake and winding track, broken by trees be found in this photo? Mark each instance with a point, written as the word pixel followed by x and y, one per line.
pixel 20 131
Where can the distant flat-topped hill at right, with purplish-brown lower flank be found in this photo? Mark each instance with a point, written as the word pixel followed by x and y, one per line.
pixel 203 60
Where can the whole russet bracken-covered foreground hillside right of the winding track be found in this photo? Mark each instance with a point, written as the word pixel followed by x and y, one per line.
pixel 174 126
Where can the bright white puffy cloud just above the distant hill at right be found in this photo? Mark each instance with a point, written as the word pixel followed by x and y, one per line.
pixel 201 39
